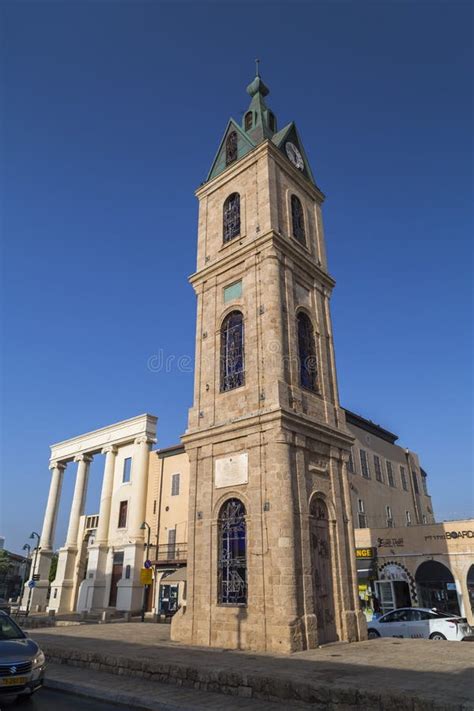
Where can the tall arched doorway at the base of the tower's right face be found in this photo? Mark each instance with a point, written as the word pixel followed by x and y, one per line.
pixel 322 571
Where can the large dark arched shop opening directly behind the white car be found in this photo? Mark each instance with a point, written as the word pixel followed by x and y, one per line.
pixel 436 587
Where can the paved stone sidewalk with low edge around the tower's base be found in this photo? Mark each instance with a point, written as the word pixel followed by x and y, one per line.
pixel 383 674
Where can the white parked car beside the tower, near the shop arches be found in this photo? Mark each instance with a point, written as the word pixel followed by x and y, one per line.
pixel 420 622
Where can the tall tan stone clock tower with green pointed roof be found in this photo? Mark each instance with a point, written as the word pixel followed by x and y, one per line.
pixel 271 548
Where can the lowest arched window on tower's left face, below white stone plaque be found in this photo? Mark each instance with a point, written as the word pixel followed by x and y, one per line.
pixel 232 554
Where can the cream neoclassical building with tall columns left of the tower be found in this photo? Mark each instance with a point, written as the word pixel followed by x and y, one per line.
pixel 98 548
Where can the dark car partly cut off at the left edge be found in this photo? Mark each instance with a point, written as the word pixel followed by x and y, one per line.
pixel 22 663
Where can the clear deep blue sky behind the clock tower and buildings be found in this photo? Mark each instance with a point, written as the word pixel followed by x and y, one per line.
pixel 113 113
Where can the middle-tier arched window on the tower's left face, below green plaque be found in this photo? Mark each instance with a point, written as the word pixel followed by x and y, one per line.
pixel 232 351
